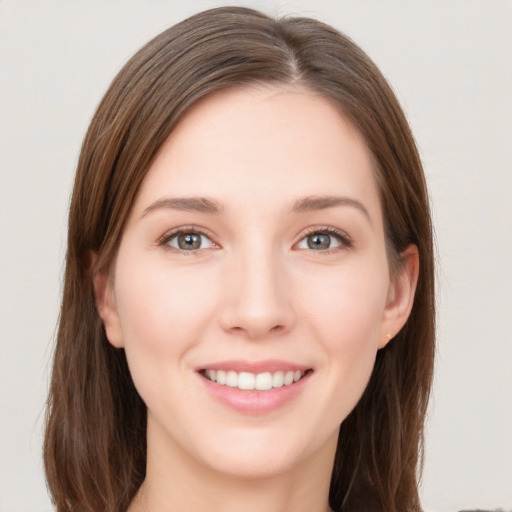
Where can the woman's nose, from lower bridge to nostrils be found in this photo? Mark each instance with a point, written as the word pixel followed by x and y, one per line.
pixel 259 300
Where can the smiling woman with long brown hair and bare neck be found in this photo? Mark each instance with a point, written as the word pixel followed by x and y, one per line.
pixel 248 310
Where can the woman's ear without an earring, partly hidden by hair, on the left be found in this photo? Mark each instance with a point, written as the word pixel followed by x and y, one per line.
pixel 106 306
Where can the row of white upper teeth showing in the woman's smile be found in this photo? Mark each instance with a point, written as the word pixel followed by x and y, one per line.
pixel 249 381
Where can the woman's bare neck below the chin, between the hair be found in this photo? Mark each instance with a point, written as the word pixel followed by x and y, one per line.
pixel 176 481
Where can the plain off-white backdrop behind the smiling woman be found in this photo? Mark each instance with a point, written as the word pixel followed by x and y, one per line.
pixel 450 63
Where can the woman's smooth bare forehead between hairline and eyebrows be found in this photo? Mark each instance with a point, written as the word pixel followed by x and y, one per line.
pixel 262 144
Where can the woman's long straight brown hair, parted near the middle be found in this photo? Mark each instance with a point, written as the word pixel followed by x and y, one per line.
pixel 95 444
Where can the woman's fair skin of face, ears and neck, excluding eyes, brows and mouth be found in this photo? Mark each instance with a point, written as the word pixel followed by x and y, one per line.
pixel 254 290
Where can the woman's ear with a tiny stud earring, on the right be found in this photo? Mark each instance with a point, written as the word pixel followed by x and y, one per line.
pixel 400 295
